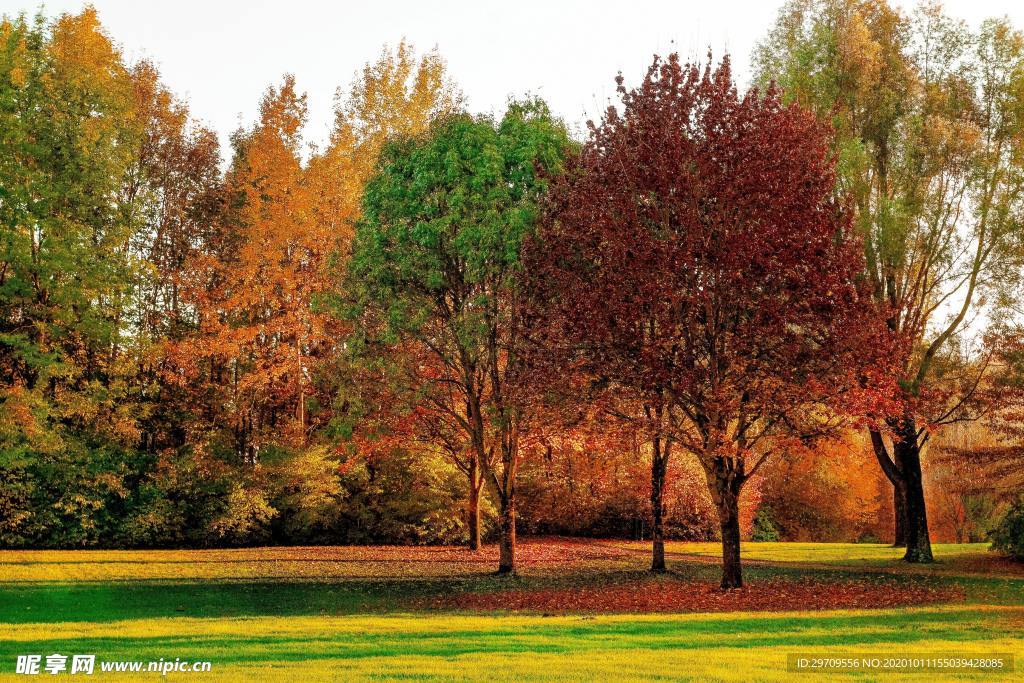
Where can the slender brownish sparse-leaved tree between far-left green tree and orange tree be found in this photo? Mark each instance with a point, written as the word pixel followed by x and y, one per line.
pixel 173 197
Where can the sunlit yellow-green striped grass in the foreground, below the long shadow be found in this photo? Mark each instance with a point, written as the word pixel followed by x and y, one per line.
pixel 467 648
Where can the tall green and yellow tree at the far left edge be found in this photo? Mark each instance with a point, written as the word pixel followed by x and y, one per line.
pixel 69 137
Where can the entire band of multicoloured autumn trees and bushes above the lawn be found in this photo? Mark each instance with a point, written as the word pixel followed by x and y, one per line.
pixel 789 313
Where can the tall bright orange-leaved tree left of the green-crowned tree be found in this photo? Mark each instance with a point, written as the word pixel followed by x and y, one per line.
pixel 268 341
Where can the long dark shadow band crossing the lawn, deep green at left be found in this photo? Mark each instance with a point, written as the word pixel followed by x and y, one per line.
pixel 111 601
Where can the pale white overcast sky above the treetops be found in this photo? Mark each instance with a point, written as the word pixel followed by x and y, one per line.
pixel 221 55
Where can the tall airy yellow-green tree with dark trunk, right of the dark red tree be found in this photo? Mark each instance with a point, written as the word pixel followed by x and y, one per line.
pixel 929 120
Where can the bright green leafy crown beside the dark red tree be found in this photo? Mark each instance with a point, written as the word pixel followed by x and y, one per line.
pixel 446 216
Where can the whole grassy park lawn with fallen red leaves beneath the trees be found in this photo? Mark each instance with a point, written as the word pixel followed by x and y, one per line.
pixel 579 610
